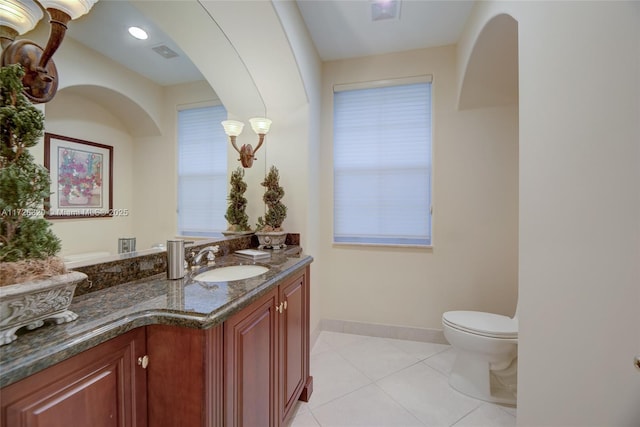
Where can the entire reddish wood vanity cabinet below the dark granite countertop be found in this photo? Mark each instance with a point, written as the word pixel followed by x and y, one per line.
pixel 249 371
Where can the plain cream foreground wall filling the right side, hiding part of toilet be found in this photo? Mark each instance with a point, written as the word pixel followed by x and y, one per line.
pixel 579 227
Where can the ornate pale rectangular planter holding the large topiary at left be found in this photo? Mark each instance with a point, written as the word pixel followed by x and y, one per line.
pixel 29 304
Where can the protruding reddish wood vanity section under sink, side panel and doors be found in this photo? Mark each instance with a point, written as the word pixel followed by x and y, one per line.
pixel 249 371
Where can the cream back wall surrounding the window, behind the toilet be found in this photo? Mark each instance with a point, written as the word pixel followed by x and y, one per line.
pixel 473 263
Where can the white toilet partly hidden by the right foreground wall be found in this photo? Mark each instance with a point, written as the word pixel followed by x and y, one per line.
pixel 486 346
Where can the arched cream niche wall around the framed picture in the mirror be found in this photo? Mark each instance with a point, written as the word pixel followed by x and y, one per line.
pixel 76 114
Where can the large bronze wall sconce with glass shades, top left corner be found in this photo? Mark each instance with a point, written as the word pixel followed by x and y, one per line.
pixel 20 16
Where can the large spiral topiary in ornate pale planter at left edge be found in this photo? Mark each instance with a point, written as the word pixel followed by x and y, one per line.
pixel 34 283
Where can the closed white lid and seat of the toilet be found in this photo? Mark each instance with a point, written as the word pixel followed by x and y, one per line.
pixel 486 324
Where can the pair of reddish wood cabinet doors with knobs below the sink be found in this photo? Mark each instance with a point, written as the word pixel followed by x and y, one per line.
pixel 267 356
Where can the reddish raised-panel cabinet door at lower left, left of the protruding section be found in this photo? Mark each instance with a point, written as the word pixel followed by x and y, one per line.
pixel 101 387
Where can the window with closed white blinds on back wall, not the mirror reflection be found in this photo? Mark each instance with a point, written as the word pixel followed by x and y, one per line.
pixel 382 163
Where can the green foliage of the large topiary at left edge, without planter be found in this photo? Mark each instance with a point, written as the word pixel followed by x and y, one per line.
pixel 23 184
